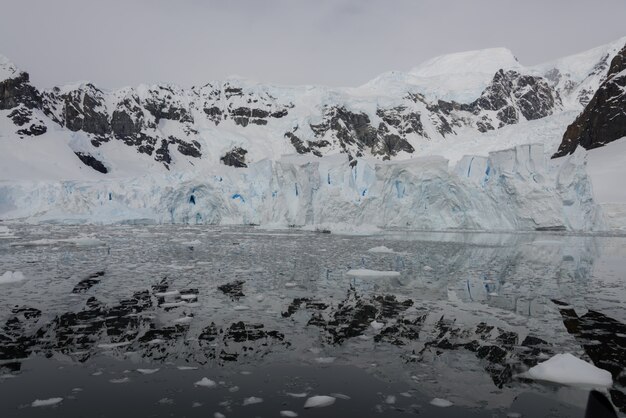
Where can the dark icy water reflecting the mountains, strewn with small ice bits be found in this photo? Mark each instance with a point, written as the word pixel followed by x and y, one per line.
pixel 128 321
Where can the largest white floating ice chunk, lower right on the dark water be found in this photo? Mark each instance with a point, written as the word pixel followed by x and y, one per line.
pixel 570 370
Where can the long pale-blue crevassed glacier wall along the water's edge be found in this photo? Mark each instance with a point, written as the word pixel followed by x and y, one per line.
pixel 514 189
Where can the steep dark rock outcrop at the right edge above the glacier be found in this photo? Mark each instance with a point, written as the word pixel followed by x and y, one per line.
pixel 604 119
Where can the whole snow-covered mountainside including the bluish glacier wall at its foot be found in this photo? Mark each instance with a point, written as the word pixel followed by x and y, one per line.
pixel 476 102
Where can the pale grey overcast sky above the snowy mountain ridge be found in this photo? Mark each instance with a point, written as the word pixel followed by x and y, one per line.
pixel 115 43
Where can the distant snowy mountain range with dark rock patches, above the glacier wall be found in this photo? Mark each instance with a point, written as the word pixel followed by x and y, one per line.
pixel 164 127
